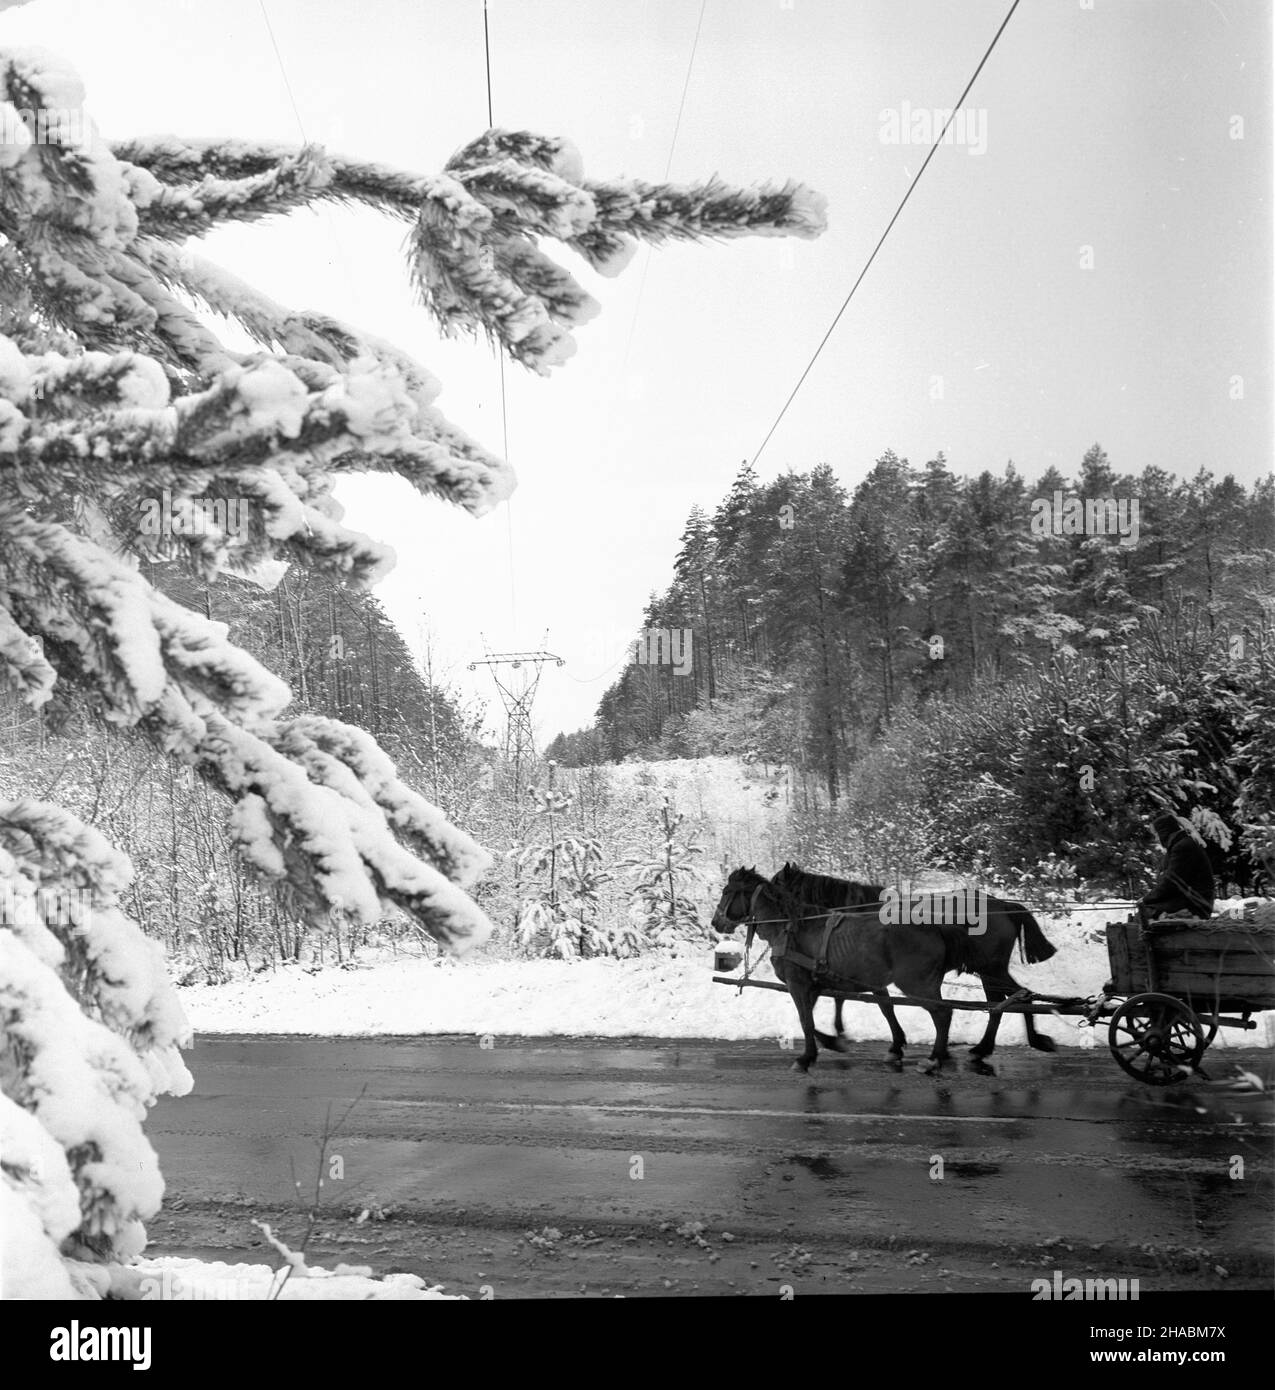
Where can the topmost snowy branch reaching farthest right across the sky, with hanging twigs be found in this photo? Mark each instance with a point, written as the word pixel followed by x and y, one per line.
pixel 475 258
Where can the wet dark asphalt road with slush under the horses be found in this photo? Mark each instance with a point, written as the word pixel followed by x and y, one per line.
pixel 511 1167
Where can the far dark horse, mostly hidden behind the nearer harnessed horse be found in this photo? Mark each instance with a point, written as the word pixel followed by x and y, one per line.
pixel 988 953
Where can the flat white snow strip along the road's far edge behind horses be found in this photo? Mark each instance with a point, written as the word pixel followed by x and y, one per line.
pixel 649 997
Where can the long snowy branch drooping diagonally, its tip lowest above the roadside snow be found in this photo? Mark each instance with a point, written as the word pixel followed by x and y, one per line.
pixel 327 797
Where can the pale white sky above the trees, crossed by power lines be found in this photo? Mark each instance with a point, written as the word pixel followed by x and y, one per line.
pixel 1107 127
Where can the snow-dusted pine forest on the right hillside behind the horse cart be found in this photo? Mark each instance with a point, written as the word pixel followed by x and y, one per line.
pixel 943 675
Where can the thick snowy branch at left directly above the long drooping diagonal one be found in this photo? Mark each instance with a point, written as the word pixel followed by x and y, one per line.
pixel 113 414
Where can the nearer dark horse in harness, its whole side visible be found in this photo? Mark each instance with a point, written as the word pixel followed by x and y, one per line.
pixel 857 953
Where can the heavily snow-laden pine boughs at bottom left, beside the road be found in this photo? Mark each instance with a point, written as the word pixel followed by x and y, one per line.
pixel 92 1029
